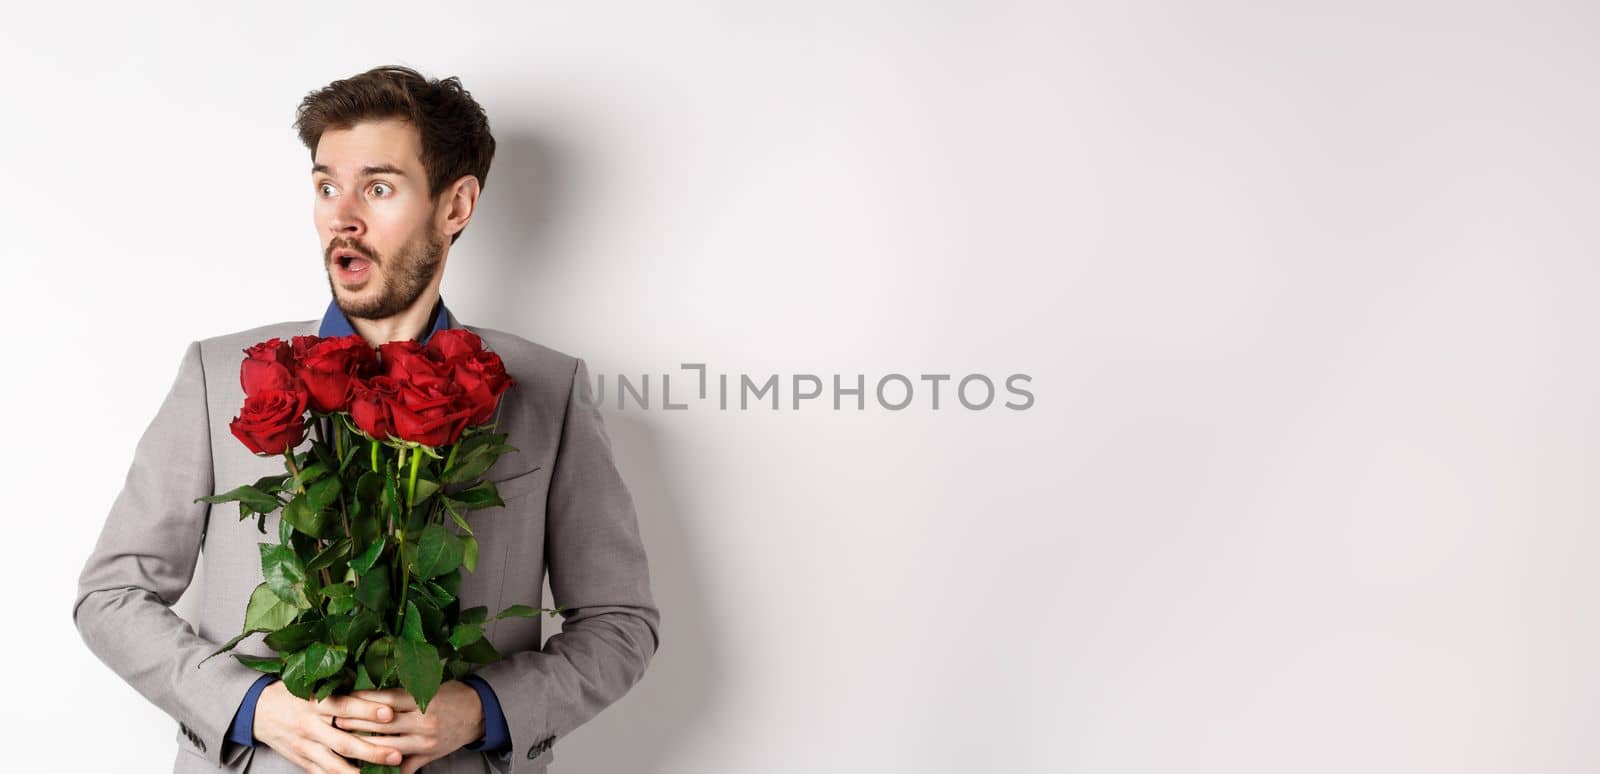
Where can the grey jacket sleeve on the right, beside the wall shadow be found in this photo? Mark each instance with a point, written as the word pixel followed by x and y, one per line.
pixel 598 570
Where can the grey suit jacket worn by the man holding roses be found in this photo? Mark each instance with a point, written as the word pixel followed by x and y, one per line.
pixel 567 511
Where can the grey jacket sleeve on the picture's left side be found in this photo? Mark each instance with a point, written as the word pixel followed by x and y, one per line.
pixel 143 564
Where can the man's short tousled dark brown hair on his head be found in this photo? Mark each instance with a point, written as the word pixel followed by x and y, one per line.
pixel 455 130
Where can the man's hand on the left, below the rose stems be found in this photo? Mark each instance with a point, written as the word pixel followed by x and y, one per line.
pixel 303 732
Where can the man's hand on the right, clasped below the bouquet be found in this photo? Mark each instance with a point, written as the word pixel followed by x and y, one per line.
pixel 454 719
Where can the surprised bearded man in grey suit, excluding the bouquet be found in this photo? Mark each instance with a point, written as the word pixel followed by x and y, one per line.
pixel 399 162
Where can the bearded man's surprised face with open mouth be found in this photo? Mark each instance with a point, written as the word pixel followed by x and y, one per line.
pixel 380 241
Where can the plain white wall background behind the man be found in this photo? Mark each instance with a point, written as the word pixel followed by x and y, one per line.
pixel 1305 290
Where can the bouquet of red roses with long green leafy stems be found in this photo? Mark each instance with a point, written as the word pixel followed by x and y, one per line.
pixel 362 586
